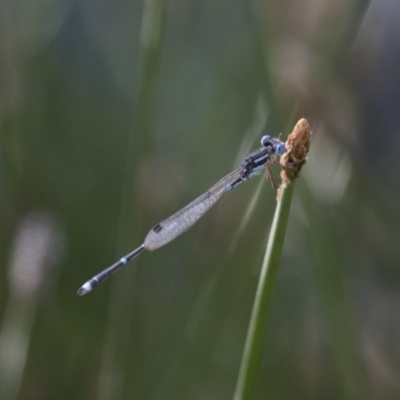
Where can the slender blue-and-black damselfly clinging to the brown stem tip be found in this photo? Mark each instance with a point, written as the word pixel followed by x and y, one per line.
pixel 175 225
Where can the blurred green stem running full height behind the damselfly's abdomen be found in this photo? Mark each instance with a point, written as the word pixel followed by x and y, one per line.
pixel 114 379
